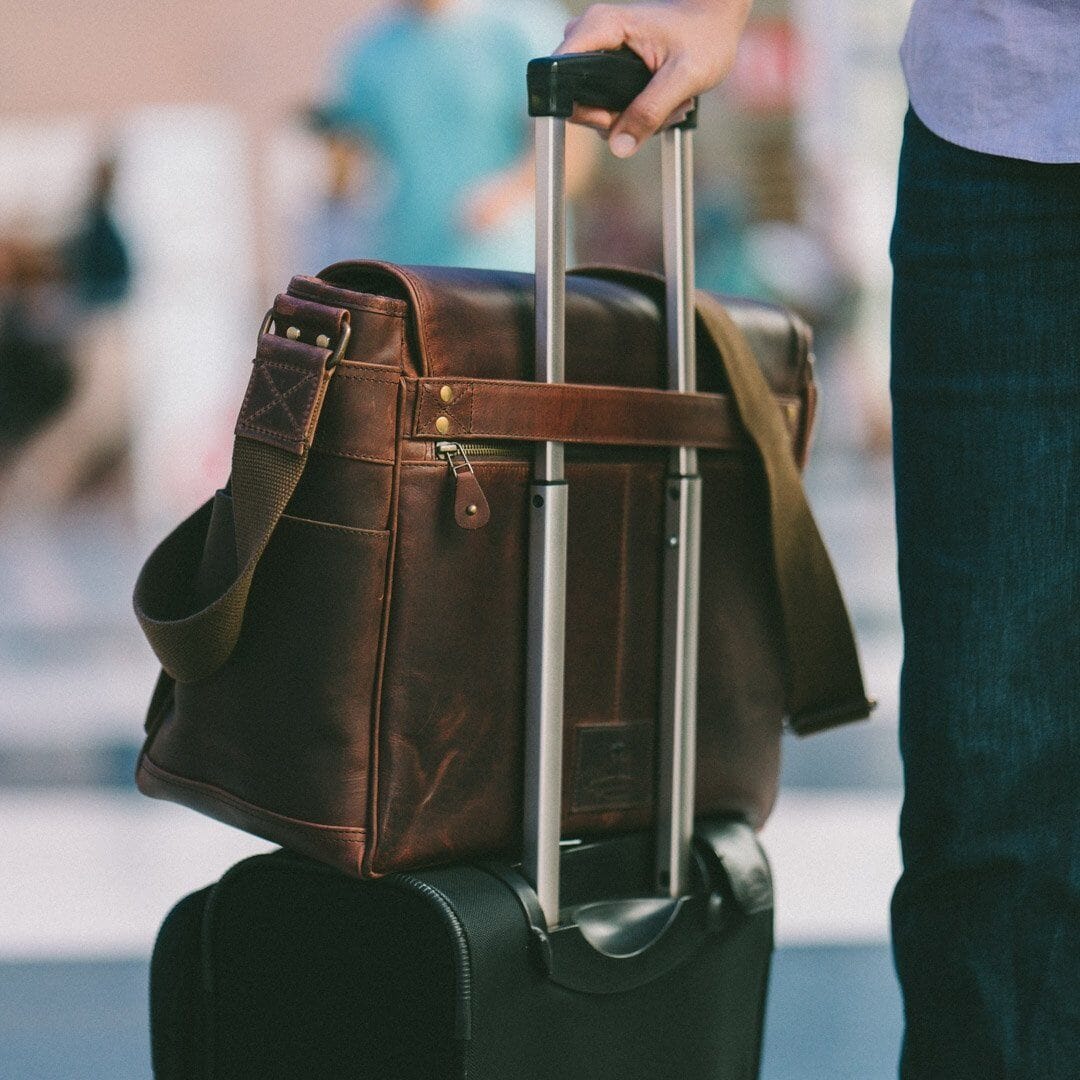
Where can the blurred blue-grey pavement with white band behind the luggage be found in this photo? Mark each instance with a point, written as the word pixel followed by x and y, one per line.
pixel 90 869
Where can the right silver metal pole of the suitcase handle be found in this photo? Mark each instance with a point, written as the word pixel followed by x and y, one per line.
pixel 683 536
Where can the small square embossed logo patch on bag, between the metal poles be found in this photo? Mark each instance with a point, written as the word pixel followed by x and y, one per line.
pixel 613 766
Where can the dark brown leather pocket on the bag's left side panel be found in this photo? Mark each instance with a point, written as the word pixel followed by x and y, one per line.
pixel 285 726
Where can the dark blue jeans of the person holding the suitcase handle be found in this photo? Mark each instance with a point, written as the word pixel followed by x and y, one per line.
pixel 987 398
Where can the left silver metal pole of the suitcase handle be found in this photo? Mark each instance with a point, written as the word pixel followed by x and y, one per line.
pixel 547 597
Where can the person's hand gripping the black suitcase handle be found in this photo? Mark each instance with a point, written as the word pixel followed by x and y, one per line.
pixel 688 45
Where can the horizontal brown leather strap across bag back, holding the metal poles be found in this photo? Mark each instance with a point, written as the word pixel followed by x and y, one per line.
pixel 575 413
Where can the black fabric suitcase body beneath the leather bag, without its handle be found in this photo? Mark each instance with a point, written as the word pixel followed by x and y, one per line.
pixel 289 969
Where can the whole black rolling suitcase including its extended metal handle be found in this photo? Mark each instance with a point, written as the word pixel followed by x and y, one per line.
pixel 638 958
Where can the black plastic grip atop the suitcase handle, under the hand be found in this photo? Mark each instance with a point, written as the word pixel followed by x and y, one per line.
pixel 607 80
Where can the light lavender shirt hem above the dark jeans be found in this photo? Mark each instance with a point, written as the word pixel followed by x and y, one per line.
pixel 998 76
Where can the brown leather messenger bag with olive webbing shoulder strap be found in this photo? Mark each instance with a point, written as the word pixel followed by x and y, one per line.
pixel 343 628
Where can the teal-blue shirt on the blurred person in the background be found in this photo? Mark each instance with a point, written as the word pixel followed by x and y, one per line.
pixel 442 100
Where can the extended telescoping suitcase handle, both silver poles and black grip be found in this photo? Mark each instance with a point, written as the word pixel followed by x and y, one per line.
pixel 609 80
